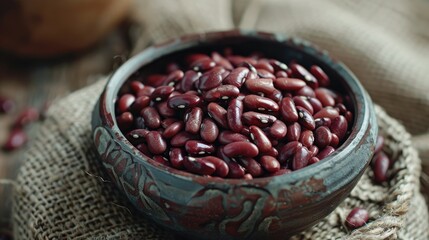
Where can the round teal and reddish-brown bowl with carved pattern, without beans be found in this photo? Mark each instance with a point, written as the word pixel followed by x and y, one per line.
pixel 195 206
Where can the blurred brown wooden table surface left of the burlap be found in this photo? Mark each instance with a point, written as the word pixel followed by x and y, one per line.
pixel 38 82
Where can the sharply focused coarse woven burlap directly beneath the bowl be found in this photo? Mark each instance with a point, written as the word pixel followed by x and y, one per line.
pixel 62 192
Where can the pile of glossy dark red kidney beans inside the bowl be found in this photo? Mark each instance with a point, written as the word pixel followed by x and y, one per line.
pixel 232 116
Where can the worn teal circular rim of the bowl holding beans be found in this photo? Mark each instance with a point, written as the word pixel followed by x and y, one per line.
pixel 361 100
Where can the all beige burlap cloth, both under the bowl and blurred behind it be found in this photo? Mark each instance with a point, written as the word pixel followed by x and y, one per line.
pixel 62 192
